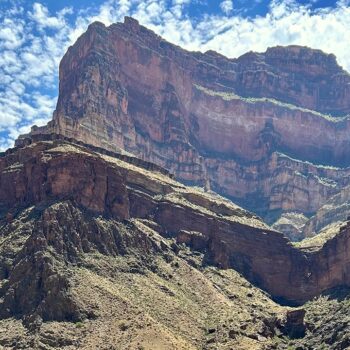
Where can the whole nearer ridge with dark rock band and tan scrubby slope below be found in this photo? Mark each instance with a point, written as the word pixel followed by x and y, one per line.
pixel 103 250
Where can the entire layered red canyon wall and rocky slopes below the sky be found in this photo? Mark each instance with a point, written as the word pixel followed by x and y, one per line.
pixel 158 208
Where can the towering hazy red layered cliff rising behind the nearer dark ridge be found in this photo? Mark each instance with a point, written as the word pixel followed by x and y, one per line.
pixel 236 125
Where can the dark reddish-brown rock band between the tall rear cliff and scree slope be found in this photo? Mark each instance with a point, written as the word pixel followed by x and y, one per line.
pixel 228 236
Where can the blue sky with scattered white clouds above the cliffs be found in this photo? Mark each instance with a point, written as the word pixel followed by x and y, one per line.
pixel 35 35
